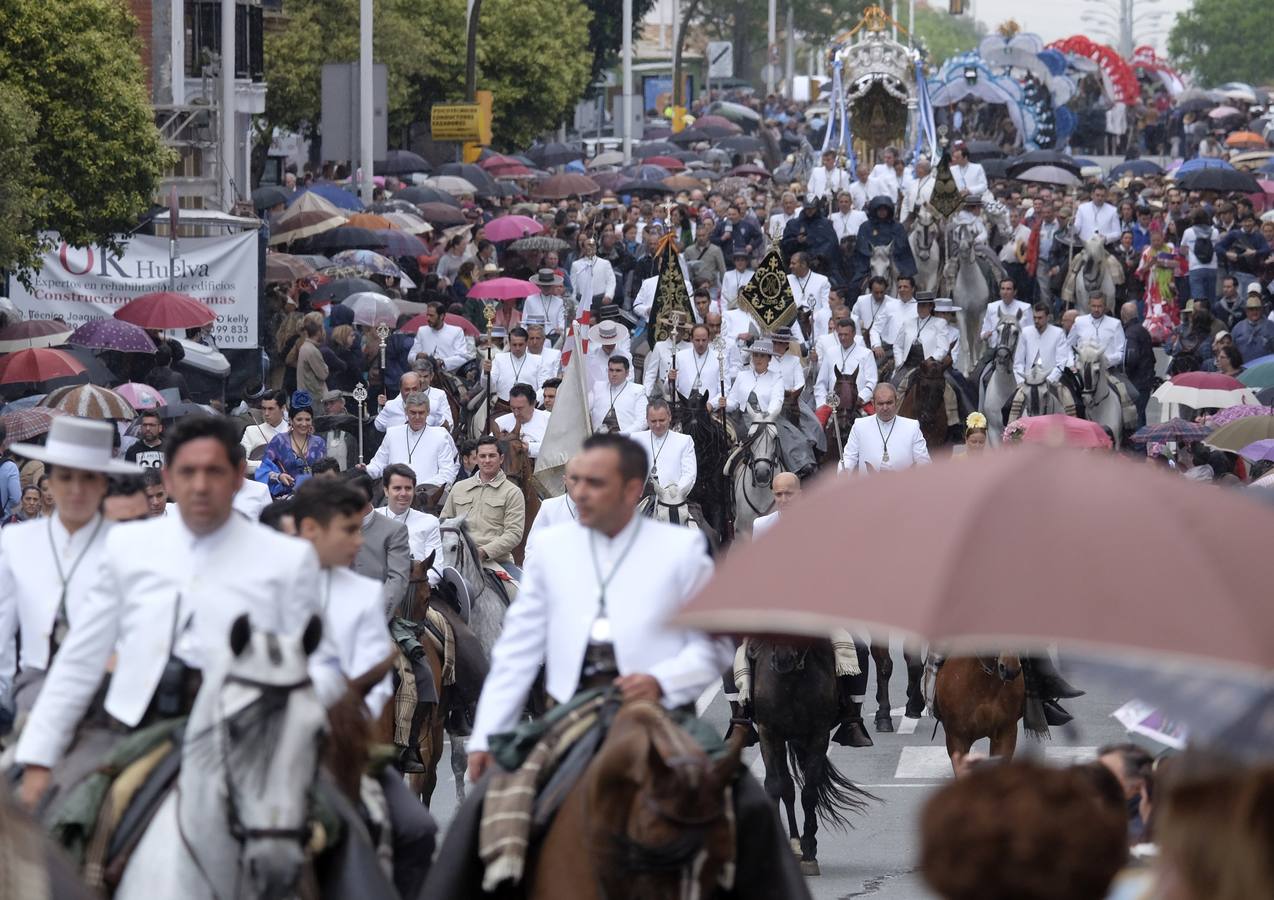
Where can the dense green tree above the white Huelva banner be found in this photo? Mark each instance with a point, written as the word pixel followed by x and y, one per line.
pixel 96 156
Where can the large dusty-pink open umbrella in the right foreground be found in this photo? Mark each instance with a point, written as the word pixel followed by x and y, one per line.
pixel 947 595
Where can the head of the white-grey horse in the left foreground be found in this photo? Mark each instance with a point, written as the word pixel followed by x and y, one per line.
pixel 267 729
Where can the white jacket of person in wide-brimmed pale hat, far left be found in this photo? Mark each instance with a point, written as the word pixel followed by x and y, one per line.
pixel 31 591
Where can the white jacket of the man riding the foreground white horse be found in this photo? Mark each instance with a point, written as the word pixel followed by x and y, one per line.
pixel 154 574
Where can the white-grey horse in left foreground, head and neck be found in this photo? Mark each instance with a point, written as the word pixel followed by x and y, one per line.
pixel 238 824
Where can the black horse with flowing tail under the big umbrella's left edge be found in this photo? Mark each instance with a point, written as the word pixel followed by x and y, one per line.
pixel 796 707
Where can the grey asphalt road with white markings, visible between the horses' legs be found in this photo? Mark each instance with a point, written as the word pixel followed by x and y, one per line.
pixel 878 857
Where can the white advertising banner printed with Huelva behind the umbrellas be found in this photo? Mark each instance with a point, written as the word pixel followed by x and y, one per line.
pixel 85 284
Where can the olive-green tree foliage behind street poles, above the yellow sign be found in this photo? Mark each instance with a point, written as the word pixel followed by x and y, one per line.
pixel 522 61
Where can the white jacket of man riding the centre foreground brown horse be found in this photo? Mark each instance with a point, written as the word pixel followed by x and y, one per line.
pixel 650 578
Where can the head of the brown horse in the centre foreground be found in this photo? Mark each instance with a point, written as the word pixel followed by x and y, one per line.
pixel 663 804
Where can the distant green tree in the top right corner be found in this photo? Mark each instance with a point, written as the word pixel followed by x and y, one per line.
pixel 1225 41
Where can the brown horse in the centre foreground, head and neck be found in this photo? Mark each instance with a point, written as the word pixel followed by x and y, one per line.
pixel 648 819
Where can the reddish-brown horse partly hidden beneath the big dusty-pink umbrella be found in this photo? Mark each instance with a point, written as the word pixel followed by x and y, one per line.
pixel 980 698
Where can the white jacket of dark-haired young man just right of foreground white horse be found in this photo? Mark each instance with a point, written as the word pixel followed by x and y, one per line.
pixel 355 615
